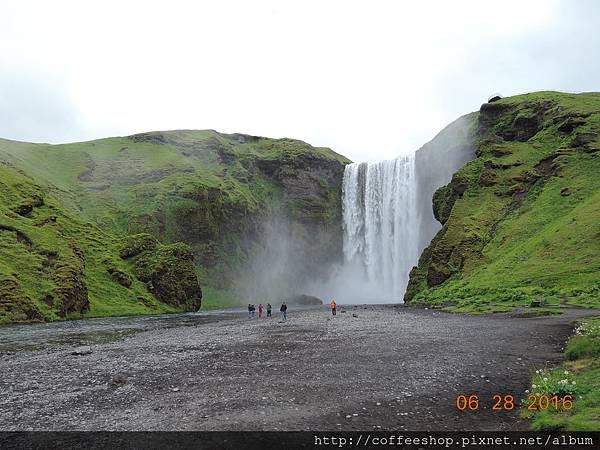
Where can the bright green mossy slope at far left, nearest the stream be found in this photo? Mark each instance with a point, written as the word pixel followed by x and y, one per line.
pixel 54 264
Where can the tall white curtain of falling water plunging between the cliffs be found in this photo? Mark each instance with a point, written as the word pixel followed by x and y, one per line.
pixel 381 229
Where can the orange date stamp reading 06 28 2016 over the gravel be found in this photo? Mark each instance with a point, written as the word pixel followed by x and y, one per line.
pixel 507 402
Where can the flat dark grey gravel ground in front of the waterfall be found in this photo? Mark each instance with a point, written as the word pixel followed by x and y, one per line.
pixel 369 367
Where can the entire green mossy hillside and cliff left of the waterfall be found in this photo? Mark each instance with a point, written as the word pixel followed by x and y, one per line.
pixel 204 207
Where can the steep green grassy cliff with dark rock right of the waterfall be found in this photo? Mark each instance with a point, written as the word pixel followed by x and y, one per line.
pixel 521 221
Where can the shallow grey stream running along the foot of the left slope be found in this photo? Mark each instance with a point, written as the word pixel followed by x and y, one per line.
pixel 40 336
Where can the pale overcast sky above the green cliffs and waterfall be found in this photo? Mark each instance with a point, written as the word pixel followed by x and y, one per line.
pixel 370 79
